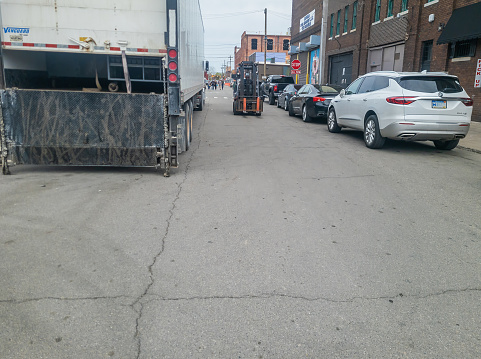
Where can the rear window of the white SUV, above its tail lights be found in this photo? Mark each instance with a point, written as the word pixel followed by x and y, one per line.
pixel 431 84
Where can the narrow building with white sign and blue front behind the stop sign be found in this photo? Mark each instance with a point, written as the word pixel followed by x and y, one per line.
pixel 307 40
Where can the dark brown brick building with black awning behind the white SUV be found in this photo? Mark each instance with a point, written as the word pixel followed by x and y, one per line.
pixel 404 35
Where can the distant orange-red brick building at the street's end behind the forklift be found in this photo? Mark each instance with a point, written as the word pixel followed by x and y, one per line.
pixel 252 43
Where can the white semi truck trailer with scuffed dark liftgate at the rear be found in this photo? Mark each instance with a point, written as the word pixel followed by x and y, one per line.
pixel 99 83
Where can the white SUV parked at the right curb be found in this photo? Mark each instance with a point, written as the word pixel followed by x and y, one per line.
pixel 412 106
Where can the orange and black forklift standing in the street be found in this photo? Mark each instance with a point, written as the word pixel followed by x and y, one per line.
pixel 246 90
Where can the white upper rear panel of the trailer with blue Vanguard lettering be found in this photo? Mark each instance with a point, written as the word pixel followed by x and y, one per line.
pixel 141 23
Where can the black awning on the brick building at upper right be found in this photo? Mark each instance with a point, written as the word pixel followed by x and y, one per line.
pixel 464 24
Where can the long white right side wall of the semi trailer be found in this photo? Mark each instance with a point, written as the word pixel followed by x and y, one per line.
pixel 191 47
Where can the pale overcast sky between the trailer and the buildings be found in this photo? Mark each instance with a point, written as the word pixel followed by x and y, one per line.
pixel 225 21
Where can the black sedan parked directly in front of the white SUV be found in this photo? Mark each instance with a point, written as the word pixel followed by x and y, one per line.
pixel 312 101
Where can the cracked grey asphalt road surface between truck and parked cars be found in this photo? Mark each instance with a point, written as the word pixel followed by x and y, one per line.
pixel 274 239
